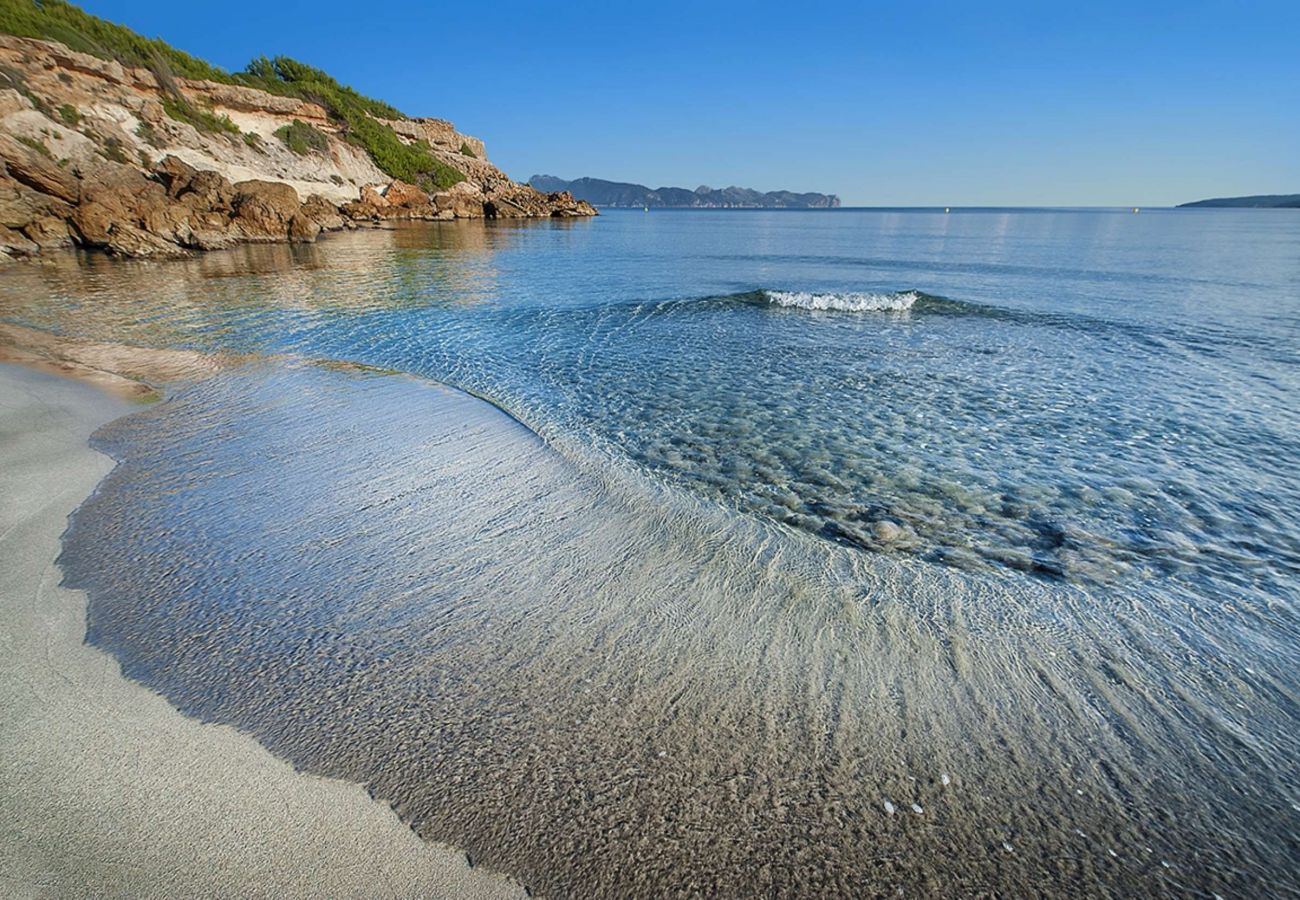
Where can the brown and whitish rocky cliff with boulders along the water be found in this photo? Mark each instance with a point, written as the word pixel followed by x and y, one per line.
pixel 140 162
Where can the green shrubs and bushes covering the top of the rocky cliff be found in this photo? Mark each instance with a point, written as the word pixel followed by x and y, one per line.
pixel 357 114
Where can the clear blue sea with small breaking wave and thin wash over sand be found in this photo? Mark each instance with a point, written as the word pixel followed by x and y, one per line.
pixel 743 579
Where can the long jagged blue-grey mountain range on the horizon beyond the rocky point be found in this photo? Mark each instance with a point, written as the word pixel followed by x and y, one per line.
pixel 601 193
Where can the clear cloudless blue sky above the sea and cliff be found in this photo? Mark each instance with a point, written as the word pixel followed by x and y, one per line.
pixel 904 103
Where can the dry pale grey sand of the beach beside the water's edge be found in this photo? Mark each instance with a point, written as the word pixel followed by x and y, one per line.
pixel 110 790
